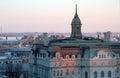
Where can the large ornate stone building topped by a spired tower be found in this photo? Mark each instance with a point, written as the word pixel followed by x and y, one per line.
pixel 75 57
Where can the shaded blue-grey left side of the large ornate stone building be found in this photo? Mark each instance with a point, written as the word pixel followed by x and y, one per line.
pixel 39 60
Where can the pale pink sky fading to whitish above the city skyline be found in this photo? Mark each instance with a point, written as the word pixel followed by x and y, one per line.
pixel 56 15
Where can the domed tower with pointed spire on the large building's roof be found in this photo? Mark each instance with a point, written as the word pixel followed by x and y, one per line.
pixel 76 26
